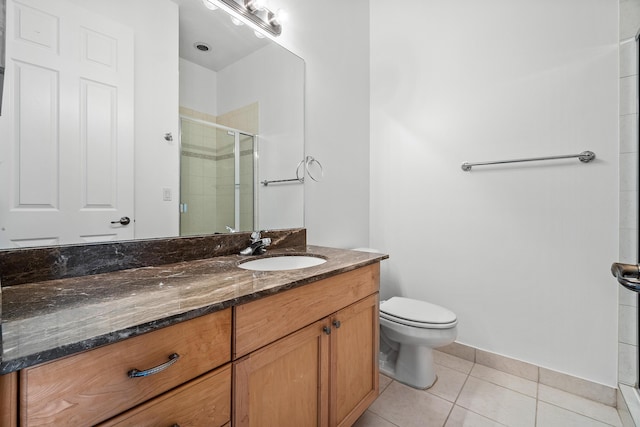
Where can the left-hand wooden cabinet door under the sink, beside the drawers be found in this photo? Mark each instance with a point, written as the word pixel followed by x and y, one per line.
pixel 283 384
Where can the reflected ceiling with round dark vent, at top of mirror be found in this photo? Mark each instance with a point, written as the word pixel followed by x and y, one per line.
pixel 228 42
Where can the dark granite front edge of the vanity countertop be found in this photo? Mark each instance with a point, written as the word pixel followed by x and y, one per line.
pixel 113 337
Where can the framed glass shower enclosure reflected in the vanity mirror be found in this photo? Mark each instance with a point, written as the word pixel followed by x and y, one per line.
pixel 218 166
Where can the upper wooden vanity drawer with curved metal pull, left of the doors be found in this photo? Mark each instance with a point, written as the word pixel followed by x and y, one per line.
pixel 90 387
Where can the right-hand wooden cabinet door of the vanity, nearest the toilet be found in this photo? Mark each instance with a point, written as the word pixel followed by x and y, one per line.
pixel 354 361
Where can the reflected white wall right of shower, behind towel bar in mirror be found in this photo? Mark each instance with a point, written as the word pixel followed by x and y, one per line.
pixel 274 78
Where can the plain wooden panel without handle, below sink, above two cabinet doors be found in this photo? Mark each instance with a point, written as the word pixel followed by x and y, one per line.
pixel 263 321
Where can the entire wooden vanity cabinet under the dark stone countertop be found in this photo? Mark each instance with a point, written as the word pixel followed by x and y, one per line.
pixel 305 356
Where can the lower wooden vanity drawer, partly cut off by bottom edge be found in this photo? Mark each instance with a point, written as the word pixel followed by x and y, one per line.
pixel 205 401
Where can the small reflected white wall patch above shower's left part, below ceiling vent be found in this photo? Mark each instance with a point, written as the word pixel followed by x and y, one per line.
pixel 198 88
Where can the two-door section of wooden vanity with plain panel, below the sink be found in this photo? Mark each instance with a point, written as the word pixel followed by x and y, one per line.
pixel 294 369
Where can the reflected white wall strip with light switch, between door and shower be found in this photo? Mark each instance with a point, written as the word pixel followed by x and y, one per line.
pixel 157 162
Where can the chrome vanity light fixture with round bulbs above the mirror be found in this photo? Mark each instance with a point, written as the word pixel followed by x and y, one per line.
pixel 254 12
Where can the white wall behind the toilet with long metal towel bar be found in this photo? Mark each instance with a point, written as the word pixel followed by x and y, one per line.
pixel 521 253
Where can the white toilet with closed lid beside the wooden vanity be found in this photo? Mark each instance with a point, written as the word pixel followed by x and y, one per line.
pixel 409 331
